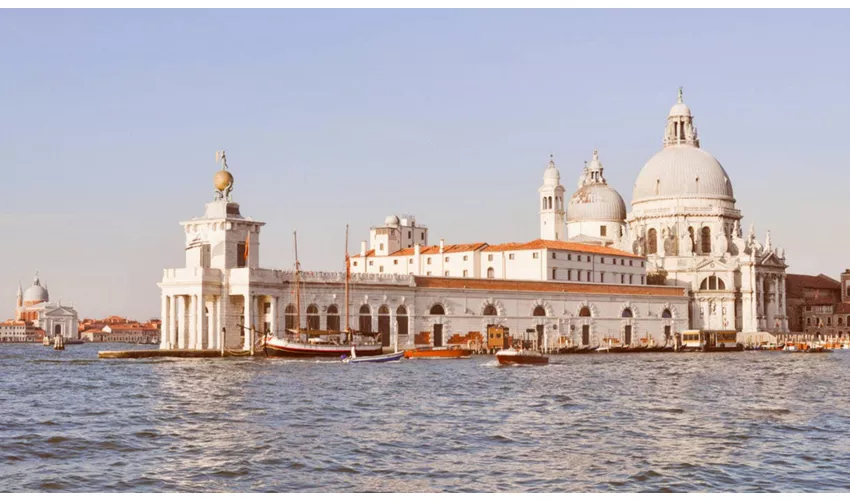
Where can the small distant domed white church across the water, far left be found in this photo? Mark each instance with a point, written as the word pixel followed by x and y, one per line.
pixel 35 310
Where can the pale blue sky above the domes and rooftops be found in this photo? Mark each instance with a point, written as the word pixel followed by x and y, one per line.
pixel 110 119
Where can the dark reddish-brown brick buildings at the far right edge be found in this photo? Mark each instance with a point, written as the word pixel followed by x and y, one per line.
pixel 819 305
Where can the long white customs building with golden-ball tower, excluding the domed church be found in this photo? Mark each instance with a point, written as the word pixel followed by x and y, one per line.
pixel 223 288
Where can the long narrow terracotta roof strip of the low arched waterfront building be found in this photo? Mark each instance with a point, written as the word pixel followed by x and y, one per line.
pixel 547 286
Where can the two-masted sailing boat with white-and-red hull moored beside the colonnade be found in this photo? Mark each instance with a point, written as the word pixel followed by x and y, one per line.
pixel 318 343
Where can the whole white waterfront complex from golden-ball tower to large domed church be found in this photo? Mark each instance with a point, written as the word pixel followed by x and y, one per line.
pixel 677 261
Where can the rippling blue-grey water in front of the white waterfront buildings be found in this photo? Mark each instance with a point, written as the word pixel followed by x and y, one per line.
pixel 750 421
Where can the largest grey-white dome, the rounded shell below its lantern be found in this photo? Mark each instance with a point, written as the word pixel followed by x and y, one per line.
pixel 682 171
